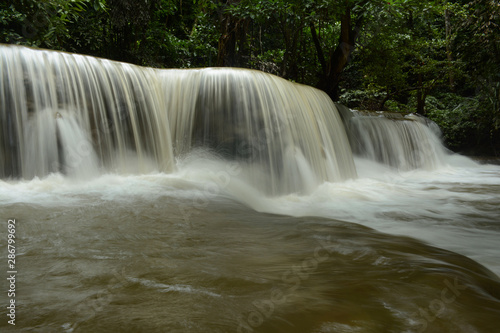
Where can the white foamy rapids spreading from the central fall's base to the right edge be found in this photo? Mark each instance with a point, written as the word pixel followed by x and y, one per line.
pixel 455 208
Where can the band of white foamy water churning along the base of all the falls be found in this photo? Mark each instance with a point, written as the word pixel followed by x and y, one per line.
pixel 455 207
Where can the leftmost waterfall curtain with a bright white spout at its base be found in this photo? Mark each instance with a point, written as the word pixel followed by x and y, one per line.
pixel 115 111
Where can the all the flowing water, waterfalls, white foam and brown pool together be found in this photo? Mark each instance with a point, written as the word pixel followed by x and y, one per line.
pixel 223 200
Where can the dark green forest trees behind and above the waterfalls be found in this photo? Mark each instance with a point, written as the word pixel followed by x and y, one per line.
pixel 438 58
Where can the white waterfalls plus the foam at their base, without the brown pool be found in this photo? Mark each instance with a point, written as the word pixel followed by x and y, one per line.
pixel 277 147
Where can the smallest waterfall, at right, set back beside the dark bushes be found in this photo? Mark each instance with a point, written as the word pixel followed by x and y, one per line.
pixel 404 142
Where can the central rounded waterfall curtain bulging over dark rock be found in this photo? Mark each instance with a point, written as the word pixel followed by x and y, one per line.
pixel 289 137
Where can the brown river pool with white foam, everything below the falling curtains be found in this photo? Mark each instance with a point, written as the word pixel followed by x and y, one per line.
pixel 150 254
